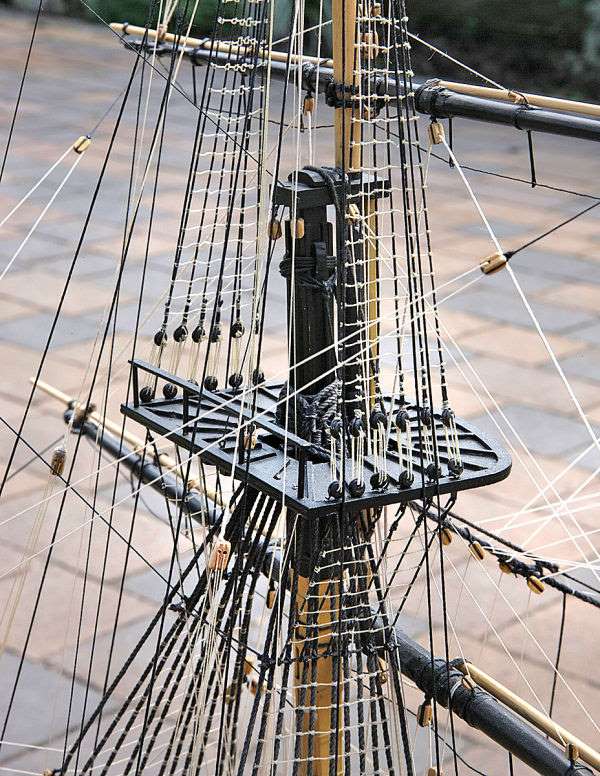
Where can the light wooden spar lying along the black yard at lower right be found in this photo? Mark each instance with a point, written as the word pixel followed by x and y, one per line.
pixel 530 713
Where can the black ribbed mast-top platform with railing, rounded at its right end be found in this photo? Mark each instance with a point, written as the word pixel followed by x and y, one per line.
pixel 218 426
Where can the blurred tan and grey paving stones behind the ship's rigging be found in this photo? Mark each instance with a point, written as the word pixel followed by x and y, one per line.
pixel 76 72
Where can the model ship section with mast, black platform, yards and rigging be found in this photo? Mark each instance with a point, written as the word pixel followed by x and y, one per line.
pixel 308 498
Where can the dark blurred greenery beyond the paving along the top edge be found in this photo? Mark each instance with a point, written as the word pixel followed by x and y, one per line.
pixel 553 45
